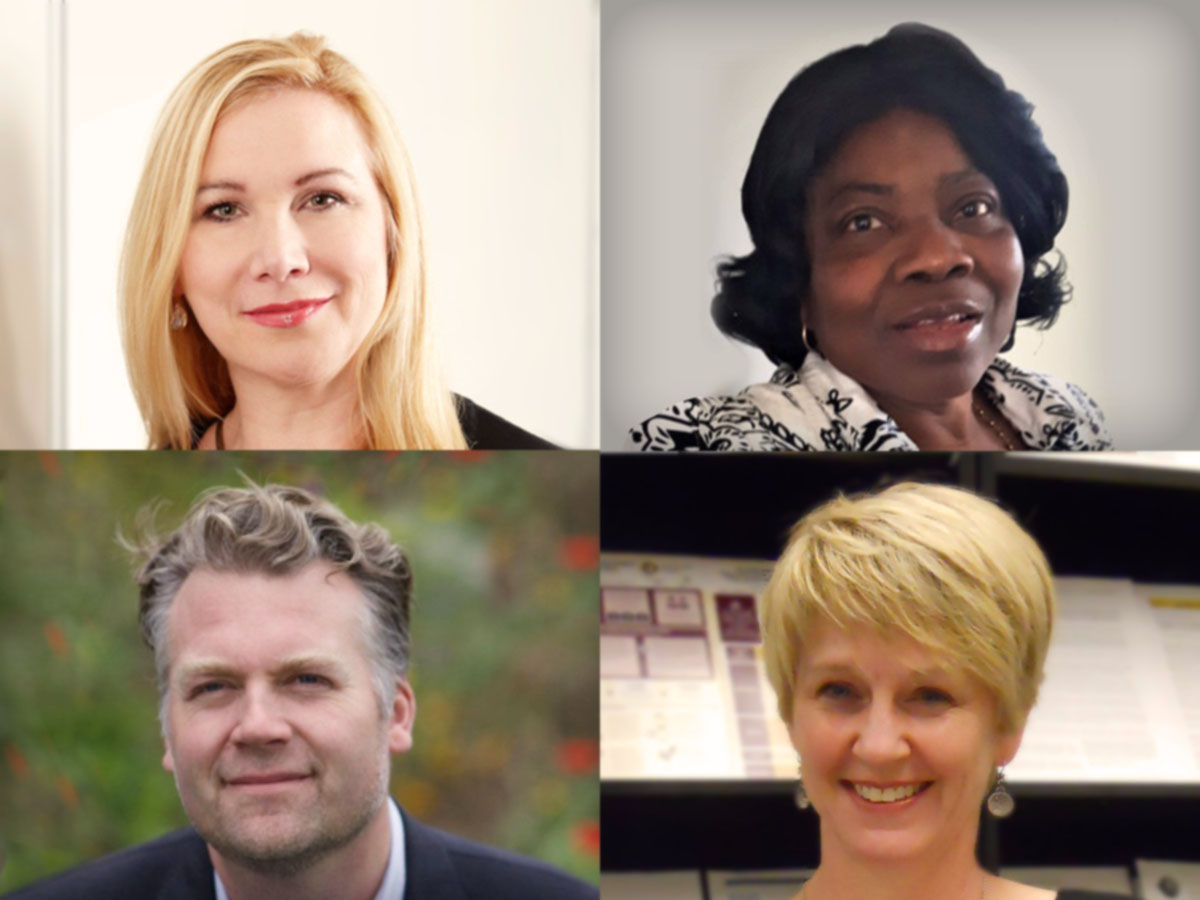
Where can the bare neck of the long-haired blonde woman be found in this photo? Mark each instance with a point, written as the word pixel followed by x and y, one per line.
pixel 271 417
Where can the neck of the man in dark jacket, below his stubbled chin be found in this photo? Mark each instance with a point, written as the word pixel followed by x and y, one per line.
pixel 351 873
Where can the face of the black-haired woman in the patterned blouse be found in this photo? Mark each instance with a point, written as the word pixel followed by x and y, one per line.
pixel 916 267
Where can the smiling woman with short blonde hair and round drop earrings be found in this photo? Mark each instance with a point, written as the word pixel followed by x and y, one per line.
pixel 905 634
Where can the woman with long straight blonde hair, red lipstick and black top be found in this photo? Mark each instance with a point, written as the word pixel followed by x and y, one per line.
pixel 273 280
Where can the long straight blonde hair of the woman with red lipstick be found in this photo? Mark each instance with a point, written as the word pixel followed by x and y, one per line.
pixel 179 379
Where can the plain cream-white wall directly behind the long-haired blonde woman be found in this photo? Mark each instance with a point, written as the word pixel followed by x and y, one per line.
pixel 497 104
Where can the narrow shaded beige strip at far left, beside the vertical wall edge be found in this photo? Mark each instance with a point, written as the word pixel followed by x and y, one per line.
pixel 27 320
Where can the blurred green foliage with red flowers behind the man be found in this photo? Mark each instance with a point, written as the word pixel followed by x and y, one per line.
pixel 505 550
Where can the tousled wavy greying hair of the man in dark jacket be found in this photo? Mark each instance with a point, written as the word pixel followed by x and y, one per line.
pixel 277 530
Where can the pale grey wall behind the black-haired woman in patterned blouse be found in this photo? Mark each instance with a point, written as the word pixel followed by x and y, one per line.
pixel 687 85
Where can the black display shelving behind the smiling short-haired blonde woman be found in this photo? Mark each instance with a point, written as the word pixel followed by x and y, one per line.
pixel 1139 521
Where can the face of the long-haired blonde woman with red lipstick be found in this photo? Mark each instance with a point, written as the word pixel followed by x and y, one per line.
pixel 285 265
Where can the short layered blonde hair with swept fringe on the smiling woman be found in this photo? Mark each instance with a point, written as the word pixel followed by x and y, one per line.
pixel 939 565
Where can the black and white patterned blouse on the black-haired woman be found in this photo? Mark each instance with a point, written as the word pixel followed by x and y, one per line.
pixel 820 409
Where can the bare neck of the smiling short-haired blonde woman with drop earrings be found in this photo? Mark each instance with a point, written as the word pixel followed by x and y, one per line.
pixel 953 874
